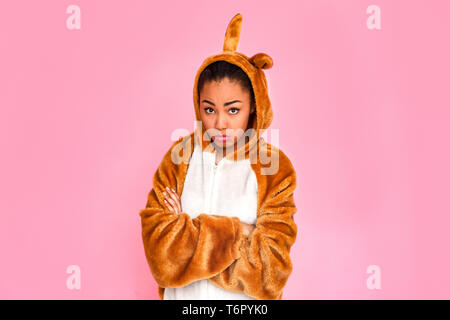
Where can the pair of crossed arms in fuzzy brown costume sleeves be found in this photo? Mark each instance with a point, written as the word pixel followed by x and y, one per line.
pixel 181 250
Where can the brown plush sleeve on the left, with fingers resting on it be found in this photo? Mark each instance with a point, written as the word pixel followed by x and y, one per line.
pixel 178 249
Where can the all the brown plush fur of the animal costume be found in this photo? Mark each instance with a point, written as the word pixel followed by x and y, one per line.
pixel 180 250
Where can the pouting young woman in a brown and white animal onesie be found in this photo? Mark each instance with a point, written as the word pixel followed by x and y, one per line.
pixel 218 223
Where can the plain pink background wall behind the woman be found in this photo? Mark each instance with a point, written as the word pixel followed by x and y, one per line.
pixel 86 116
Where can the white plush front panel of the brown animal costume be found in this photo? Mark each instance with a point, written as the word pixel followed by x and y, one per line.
pixel 228 189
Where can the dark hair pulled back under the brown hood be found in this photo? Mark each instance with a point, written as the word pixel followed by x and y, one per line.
pixel 223 69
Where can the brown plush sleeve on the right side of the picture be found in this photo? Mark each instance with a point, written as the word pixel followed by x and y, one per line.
pixel 264 265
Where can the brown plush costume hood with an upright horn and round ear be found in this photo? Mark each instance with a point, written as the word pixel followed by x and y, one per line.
pixel 253 66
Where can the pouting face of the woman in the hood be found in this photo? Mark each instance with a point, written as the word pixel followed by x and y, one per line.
pixel 225 110
